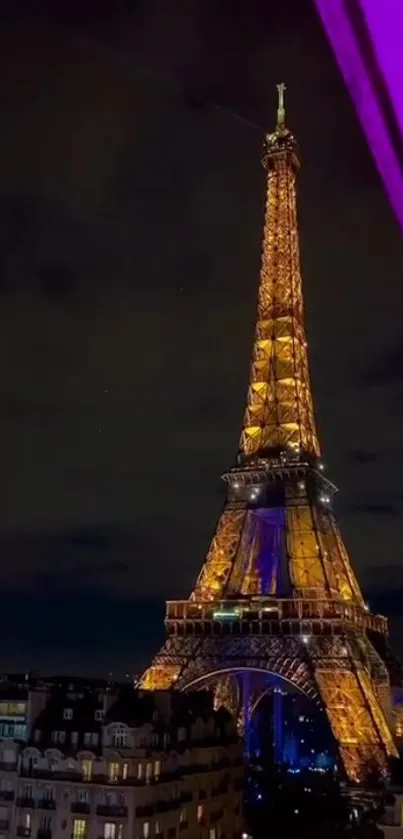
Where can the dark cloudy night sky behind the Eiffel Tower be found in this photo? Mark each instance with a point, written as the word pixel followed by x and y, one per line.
pixel 131 213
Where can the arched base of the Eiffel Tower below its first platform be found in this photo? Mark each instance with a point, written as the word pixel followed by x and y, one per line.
pixel 337 672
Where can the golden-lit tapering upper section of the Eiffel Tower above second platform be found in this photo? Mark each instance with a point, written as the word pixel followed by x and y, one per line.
pixel 279 410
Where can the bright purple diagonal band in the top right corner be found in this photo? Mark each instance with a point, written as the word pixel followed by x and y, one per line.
pixel 384 19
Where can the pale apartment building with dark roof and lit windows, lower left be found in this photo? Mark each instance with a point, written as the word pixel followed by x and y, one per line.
pixel 120 764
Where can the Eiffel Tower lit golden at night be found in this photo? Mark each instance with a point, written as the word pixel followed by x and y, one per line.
pixel 277 600
